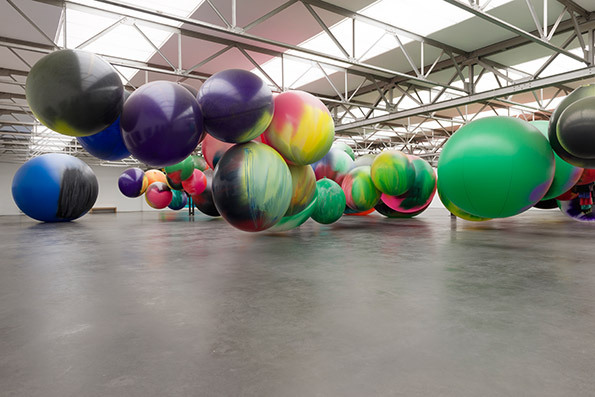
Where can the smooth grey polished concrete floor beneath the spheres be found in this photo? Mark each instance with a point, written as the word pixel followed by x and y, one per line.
pixel 147 304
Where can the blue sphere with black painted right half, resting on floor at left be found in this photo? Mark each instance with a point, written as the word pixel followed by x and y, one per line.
pixel 54 188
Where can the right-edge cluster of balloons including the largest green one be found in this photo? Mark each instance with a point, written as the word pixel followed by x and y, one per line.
pixel 501 166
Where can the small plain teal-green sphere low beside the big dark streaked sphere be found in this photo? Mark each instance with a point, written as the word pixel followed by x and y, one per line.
pixel 330 202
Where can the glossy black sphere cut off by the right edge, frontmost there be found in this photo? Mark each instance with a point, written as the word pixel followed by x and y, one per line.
pixel 576 132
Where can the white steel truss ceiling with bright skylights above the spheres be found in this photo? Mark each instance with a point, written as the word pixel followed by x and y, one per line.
pixel 394 73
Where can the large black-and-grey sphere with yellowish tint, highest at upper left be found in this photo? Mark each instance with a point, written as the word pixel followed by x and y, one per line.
pixel 74 92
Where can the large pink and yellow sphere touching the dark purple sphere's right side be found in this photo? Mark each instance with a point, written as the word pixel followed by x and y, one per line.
pixel 302 129
